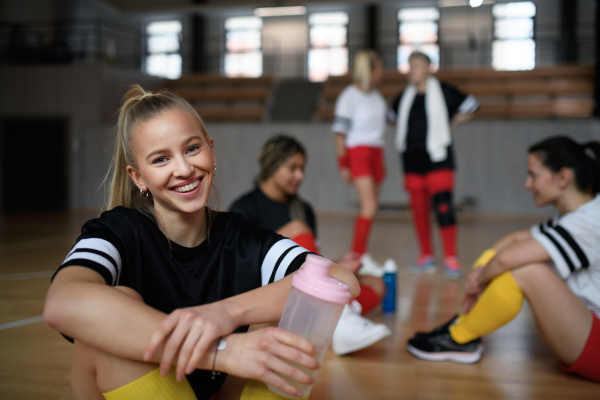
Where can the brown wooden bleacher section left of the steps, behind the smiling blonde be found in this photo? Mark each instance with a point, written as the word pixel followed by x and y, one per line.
pixel 217 98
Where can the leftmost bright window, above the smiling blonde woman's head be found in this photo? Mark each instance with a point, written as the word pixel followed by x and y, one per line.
pixel 163 44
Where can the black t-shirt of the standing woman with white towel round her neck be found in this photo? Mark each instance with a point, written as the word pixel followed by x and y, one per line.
pixel 415 158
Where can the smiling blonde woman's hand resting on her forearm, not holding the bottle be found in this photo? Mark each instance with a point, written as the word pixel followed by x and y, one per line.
pixel 189 331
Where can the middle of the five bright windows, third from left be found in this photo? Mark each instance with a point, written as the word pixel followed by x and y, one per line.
pixel 328 53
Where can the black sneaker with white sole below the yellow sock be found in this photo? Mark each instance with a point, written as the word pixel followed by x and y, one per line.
pixel 439 346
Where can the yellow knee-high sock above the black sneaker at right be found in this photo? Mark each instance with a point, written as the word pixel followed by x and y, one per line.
pixel 500 302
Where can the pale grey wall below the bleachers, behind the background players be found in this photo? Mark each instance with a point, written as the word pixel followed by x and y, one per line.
pixel 491 159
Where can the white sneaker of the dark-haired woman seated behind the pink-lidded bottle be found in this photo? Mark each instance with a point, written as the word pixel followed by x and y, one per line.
pixel 355 332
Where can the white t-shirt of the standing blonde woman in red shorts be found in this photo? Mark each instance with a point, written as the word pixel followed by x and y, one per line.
pixel 361 117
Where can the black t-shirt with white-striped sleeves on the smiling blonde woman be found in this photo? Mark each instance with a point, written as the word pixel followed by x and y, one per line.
pixel 127 248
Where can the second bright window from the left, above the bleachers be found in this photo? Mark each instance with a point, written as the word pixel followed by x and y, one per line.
pixel 243 55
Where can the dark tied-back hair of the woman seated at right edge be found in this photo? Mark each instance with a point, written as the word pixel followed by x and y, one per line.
pixel 583 159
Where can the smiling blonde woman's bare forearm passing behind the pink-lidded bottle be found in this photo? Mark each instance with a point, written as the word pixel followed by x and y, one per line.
pixel 253 308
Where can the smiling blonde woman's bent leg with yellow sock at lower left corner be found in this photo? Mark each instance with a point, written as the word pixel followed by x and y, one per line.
pixel 94 373
